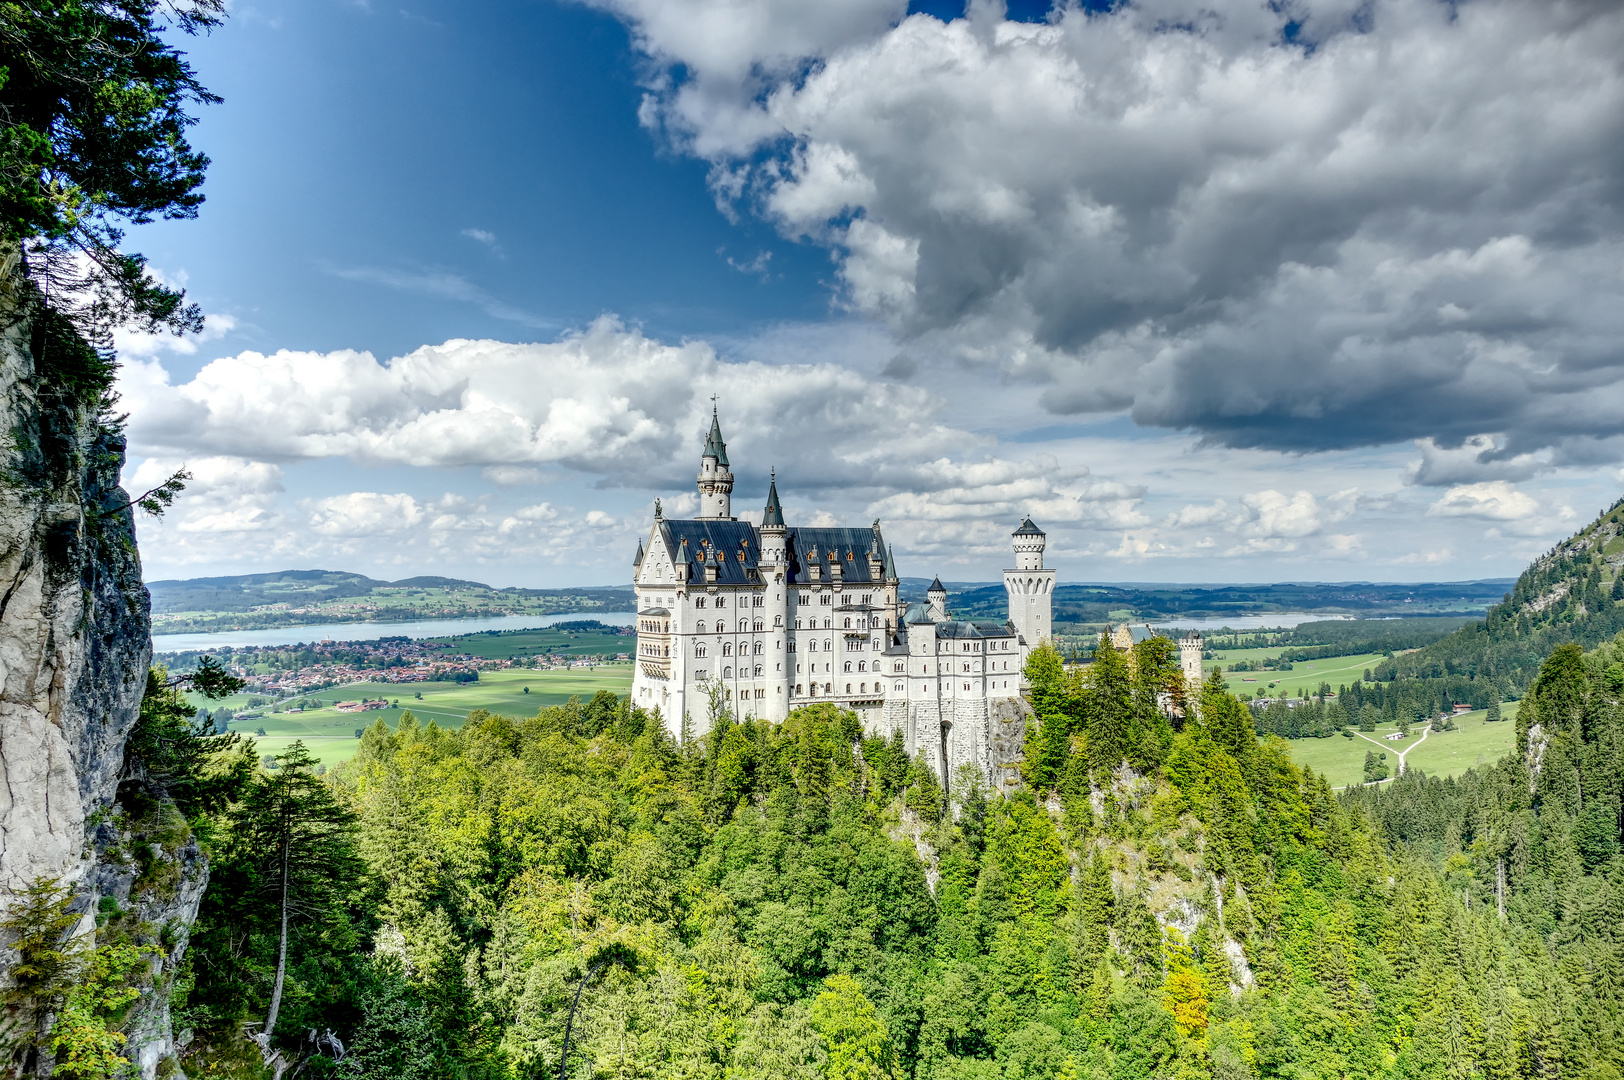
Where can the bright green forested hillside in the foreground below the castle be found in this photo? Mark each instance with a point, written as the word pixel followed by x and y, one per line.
pixel 1165 899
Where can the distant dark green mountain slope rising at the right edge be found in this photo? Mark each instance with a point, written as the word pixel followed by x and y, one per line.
pixel 1573 594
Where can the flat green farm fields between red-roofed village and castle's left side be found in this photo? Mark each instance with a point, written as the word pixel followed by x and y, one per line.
pixel 330 735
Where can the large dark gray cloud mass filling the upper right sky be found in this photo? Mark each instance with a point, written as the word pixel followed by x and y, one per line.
pixel 1406 225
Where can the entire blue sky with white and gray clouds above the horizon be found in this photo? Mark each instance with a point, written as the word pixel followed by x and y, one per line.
pixel 475 272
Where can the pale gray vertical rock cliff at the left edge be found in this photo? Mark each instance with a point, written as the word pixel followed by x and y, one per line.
pixel 74 655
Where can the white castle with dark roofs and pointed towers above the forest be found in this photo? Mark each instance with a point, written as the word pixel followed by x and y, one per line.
pixel 784 616
